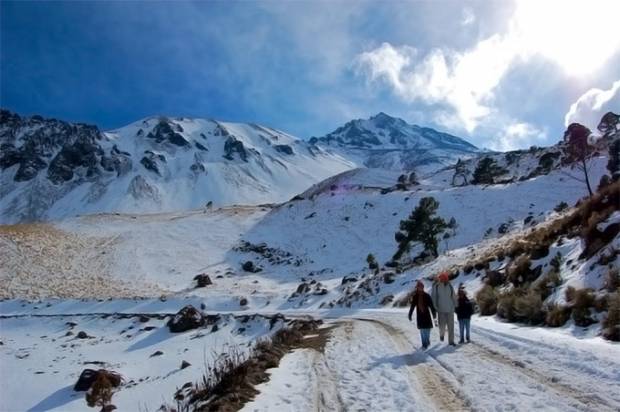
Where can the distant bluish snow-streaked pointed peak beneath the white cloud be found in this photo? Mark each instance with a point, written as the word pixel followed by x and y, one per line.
pixel 387 142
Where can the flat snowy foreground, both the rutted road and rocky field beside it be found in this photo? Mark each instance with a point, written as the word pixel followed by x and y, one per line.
pixel 372 361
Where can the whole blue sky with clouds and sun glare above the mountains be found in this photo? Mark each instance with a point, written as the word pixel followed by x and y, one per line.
pixel 501 74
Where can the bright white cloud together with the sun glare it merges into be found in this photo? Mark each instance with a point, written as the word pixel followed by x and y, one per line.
pixel 460 86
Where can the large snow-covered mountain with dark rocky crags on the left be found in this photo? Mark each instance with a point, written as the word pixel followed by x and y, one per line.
pixel 53 169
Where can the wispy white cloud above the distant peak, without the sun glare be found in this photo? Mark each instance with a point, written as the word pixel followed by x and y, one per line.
pixel 462 81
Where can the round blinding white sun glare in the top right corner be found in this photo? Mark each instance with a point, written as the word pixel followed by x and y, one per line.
pixel 578 35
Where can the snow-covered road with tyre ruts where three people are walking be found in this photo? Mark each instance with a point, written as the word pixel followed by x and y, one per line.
pixel 372 361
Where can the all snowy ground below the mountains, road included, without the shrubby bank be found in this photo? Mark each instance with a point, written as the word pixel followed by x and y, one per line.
pixel 118 276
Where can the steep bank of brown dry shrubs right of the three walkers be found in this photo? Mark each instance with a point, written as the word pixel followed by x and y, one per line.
pixel 524 301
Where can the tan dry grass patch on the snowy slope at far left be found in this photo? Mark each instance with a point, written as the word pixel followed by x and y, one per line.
pixel 39 260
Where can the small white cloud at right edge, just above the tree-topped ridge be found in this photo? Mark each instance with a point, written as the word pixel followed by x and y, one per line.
pixel 593 104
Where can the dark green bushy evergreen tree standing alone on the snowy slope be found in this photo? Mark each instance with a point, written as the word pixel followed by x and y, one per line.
pixel 422 226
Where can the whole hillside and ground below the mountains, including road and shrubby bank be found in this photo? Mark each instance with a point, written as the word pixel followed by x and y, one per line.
pixel 121 277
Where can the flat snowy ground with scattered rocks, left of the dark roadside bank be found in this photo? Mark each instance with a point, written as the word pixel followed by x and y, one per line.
pixel 50 357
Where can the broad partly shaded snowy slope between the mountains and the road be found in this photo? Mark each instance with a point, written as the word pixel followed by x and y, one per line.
pixel 323 237
